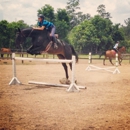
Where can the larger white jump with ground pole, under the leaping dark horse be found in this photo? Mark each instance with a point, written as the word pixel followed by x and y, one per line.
pixel 71 87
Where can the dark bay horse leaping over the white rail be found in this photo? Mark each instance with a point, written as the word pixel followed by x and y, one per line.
pixel 41 42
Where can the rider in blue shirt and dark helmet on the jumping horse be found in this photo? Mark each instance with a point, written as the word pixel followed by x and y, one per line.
pixel 42 23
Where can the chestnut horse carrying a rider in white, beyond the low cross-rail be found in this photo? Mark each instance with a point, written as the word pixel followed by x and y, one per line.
pixel 112 54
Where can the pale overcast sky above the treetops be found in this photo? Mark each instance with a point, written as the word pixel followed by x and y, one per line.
pixel 14 10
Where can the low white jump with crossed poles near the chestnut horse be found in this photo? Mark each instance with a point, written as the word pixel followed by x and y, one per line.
pixel 109 69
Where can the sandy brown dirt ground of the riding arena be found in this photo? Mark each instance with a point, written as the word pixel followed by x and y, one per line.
pixel 104 105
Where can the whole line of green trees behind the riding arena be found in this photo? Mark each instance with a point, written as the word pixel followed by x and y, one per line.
pixel 84 32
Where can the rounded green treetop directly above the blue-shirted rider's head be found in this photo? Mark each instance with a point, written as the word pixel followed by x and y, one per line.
pixel 48 12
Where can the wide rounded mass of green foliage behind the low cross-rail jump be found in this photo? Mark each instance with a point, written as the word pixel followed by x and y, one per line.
pixel 98 32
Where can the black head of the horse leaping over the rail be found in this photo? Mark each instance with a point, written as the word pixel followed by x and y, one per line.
pixel 20 38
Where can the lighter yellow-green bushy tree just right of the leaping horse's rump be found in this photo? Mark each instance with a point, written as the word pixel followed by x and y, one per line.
pixel 83 35
